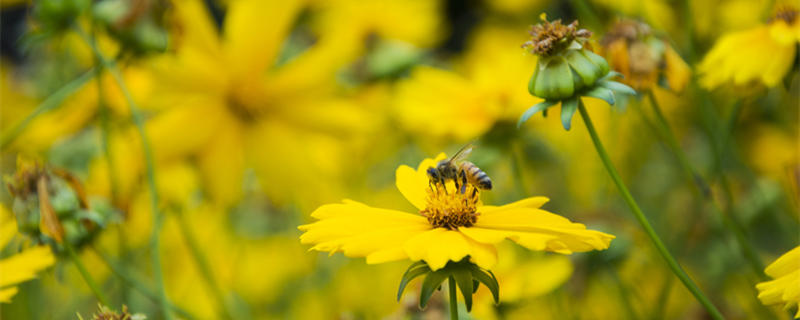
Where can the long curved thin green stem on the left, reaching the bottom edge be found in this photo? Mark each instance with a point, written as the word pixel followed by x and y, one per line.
pixel 149 168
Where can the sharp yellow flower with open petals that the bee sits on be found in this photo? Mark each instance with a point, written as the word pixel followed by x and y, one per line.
pixel 450 226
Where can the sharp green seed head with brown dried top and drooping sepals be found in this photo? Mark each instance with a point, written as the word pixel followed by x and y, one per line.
pixel 567 70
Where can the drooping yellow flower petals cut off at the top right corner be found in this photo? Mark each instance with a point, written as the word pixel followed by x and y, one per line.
pixel 763 54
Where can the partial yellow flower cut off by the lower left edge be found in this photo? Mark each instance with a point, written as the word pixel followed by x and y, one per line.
pixel 22 266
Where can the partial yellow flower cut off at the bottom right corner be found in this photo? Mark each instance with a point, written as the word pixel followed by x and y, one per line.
pixel 786 286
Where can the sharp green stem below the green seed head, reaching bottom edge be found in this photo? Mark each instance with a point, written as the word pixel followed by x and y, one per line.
pixel 637 212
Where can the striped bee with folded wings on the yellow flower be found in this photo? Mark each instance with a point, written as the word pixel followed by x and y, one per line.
pixel 459 170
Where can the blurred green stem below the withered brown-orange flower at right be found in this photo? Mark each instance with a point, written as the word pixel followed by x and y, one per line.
pixel 703 192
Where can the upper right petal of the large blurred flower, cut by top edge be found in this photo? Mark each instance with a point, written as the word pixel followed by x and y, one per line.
pixel 255 31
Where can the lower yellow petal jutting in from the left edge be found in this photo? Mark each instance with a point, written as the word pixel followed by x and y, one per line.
pixel 24 265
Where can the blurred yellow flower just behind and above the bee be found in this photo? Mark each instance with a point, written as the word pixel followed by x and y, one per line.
pixel 464 103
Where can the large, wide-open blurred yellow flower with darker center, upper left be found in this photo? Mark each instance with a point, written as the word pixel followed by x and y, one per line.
pixel 258 110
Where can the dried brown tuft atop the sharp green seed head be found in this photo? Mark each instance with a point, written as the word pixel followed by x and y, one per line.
pixel 548 38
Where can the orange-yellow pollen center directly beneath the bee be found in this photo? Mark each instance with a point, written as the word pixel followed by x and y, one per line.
pixel 447 208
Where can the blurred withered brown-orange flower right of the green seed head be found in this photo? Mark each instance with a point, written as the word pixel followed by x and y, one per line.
pixel 643 58
